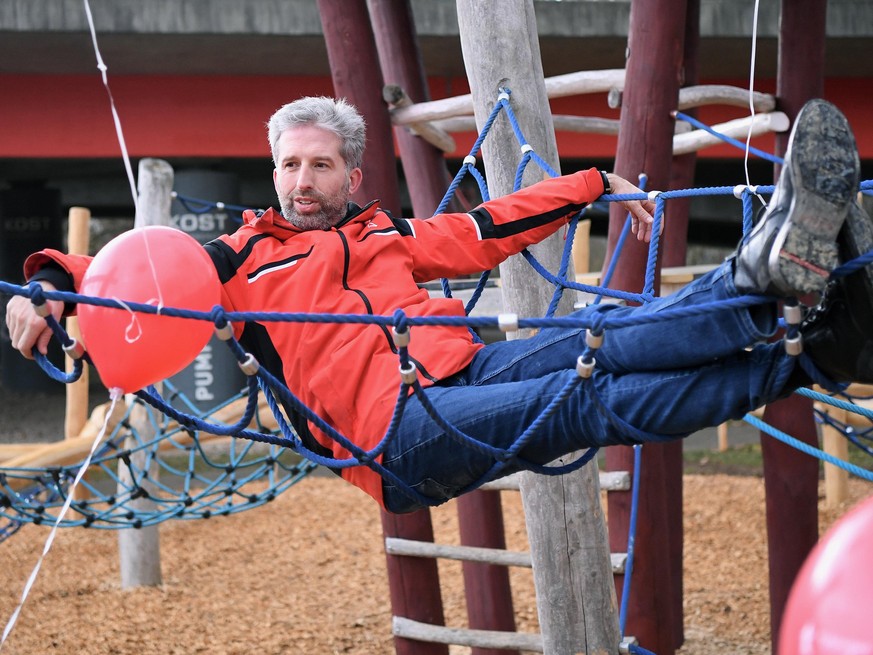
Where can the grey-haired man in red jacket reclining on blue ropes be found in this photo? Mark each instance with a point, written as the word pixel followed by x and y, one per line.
pixel 323 254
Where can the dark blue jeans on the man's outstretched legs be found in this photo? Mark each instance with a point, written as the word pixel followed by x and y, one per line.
pixel 666 379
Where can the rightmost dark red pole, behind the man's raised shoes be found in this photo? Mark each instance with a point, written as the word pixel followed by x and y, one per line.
pixel 791 477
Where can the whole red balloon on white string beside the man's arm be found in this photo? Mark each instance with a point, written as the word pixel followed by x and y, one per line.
pixel 158 266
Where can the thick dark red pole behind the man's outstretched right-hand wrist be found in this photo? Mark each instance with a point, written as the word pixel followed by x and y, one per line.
pixel 645 145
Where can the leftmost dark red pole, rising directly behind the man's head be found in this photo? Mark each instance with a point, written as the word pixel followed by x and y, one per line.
pixel 351 47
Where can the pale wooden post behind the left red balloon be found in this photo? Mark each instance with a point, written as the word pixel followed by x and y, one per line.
pixel 140 549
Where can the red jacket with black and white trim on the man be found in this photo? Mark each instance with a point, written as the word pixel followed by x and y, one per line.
pixel 371 263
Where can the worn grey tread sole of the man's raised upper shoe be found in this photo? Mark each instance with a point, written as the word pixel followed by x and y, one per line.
pixel 823 165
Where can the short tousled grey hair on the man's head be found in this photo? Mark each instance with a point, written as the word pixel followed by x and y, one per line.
pixel 334 115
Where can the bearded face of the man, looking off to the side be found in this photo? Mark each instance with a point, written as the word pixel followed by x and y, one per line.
pixel 311 179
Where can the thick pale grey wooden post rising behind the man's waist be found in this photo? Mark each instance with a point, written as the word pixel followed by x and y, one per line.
pixel 572 571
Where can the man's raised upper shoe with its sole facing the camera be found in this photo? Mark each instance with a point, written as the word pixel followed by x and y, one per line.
pixel 793 248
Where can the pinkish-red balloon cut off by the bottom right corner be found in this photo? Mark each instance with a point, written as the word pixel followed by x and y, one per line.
pixel 828 609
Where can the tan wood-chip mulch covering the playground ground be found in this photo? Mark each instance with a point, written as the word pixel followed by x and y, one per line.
pixel 306 574
